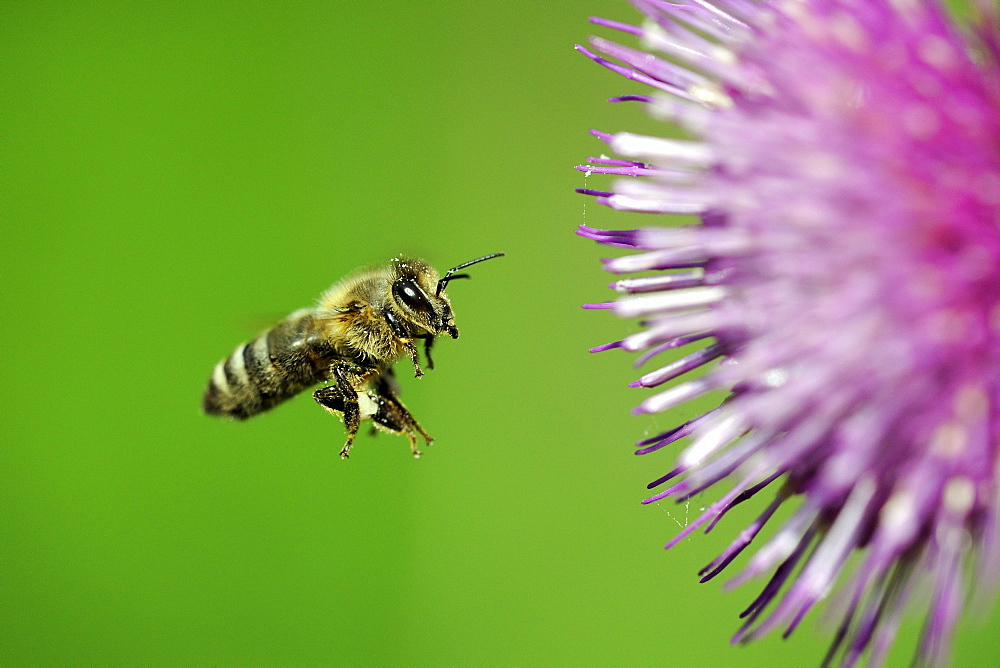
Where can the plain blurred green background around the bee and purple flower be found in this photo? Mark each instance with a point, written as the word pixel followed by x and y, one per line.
pixel 178 175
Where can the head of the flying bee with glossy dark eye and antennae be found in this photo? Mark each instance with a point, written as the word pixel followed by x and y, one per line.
pixel 418 295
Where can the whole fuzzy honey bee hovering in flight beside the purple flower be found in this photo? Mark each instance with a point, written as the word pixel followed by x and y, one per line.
pixel 361 327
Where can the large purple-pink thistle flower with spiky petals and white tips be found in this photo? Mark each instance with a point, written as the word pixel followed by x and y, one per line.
pixel 842 288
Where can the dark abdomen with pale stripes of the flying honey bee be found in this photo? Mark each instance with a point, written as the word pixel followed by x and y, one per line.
pixel 273 367
